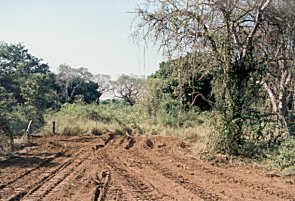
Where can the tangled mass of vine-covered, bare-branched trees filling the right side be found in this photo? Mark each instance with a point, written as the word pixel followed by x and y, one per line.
pixel 250 46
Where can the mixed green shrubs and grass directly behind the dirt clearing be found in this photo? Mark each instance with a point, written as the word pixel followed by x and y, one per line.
pixel 121 117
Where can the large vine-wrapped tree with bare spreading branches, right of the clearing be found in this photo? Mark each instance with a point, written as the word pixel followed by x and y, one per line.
pixel 232 34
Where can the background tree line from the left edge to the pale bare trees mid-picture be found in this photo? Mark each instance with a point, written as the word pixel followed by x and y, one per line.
pixel 28 88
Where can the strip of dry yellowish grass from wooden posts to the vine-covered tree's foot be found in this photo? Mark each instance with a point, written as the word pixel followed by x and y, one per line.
pixel 74 121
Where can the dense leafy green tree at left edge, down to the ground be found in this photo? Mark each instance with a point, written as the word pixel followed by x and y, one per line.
pixel 25 90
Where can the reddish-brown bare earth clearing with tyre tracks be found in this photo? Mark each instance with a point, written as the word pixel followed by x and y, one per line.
pixel 129 168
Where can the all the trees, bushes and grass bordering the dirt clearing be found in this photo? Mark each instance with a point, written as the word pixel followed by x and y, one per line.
pixel 228 84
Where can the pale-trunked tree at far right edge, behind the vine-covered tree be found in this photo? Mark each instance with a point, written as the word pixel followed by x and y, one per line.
pixel 279 48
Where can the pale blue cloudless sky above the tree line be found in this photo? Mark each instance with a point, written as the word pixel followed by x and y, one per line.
pixel 95 34
